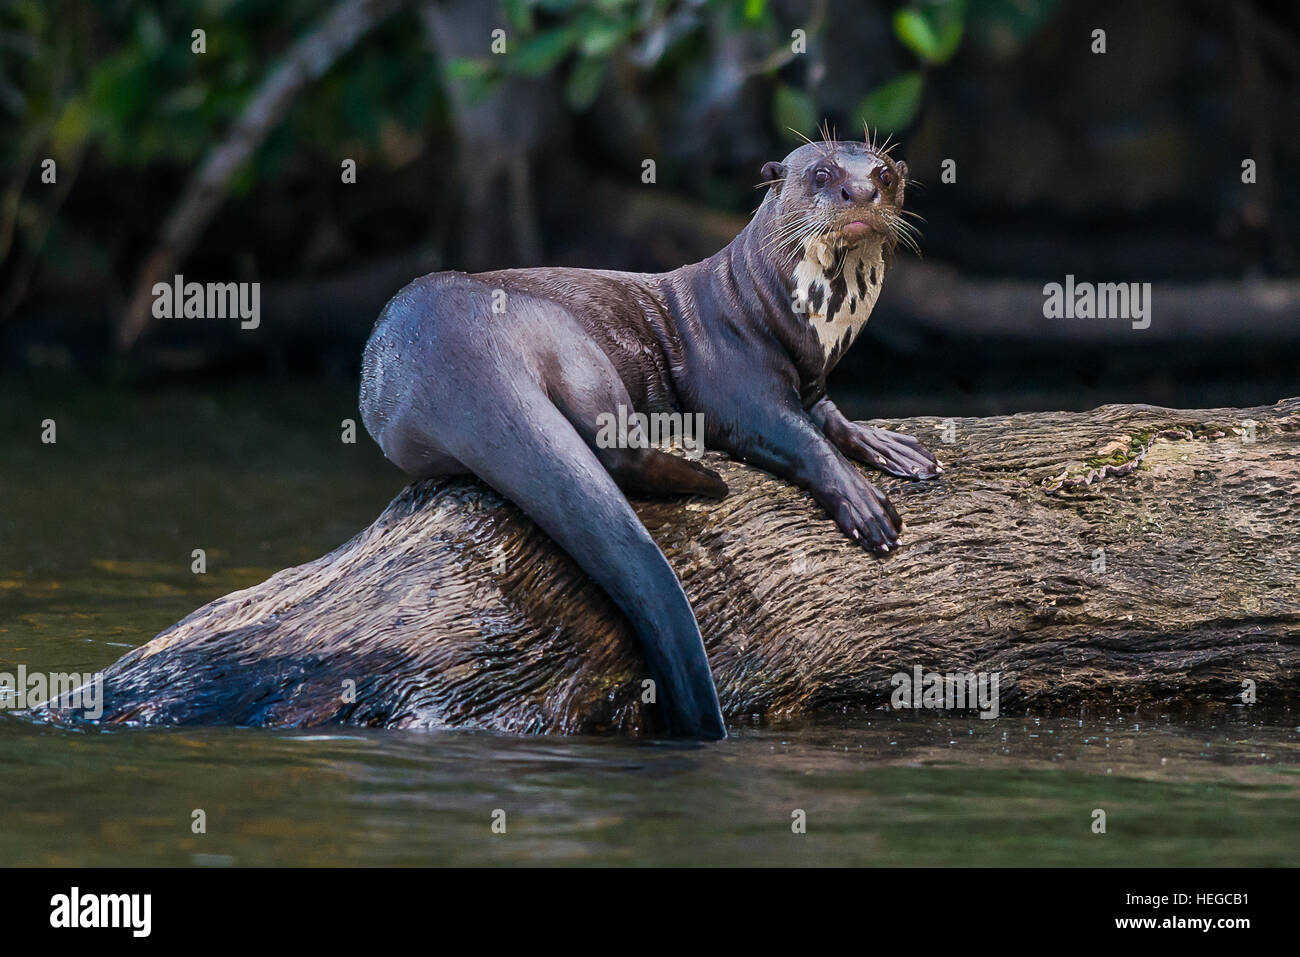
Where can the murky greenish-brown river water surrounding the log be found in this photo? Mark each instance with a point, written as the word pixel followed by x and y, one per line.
pixel 97 536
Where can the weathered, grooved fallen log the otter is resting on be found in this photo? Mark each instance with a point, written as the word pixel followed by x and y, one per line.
pixel 1124 557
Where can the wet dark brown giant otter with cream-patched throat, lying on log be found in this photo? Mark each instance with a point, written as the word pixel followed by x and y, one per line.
pixel 505 375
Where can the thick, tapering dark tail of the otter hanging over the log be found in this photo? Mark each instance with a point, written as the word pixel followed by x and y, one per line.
pixel 547 470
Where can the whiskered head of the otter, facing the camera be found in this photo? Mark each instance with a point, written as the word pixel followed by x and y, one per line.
pixel 838 196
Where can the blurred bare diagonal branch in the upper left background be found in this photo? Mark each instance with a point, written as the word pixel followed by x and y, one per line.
pixel 305 63
